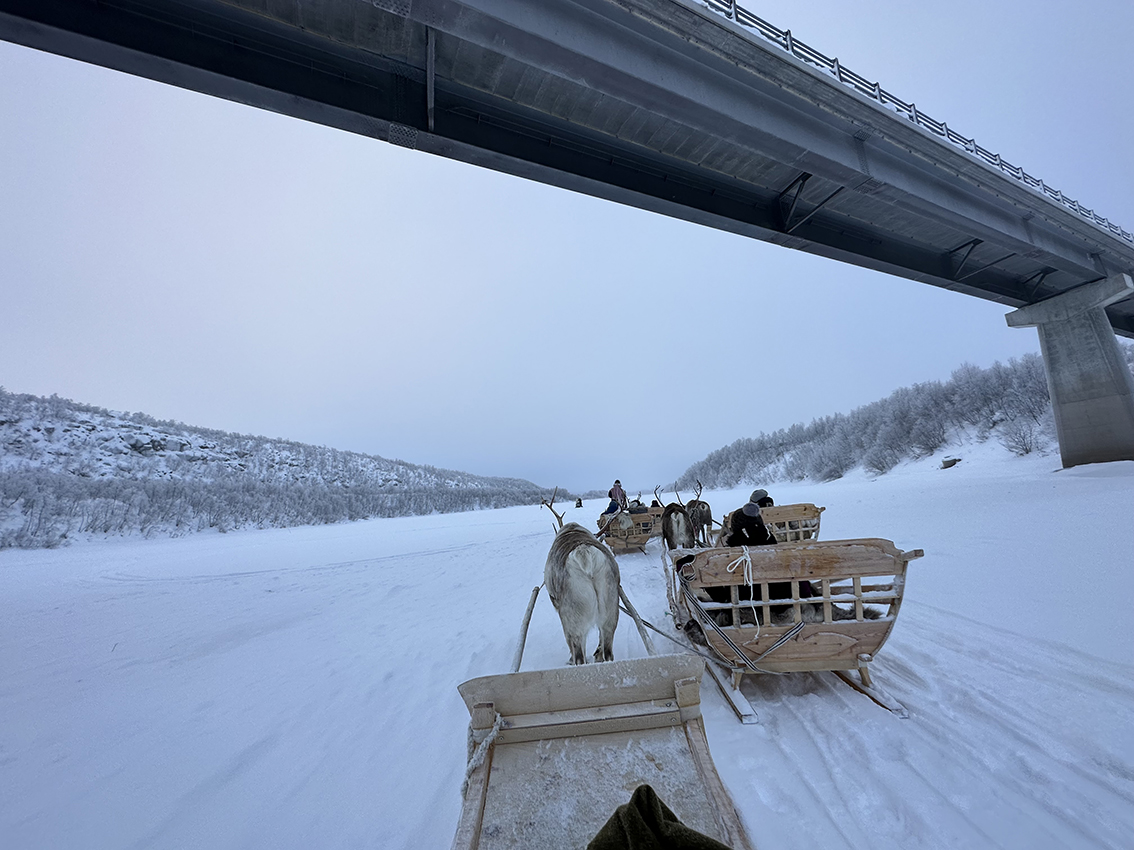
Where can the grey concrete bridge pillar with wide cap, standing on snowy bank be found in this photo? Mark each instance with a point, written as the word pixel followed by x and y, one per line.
pixel 1093 392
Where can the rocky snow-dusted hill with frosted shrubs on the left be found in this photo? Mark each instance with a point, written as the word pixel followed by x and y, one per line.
pixel 71 470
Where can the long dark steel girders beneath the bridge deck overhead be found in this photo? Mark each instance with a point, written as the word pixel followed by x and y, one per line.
pixel 388 70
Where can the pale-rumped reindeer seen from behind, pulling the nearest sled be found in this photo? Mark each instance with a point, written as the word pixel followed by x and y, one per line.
pixel 582 580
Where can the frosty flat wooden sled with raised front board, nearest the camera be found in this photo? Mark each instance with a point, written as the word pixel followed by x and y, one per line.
pixel 574 743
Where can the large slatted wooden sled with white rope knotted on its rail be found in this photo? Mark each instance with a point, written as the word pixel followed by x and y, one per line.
pixel 858 586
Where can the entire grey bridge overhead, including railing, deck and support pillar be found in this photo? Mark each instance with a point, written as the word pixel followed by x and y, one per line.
pixel 705 114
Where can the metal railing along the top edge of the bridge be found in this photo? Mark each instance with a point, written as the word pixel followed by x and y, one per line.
pixel 784 39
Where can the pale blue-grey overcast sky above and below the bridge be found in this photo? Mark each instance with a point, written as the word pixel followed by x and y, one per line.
pixel 197 260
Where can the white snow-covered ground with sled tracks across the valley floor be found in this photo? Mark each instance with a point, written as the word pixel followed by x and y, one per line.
pixel 298 688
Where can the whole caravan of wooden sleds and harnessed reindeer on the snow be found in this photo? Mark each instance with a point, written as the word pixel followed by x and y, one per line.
pixel 553 753
